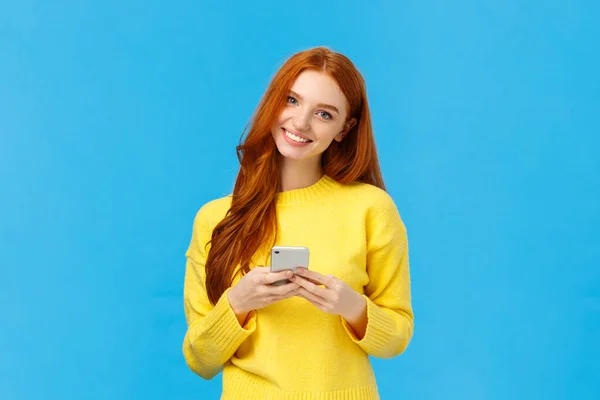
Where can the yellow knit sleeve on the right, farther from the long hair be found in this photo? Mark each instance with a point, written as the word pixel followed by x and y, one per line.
pixel 390 319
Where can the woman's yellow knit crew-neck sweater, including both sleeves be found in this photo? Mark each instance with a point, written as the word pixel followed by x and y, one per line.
pixel 292 350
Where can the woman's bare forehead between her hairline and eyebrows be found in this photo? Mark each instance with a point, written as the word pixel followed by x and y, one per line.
pixel 318 87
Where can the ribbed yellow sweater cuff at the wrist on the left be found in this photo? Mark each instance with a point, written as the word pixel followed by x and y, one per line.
pixel 224 327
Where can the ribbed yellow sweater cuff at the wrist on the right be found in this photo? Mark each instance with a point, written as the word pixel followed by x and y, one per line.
pixel 380 328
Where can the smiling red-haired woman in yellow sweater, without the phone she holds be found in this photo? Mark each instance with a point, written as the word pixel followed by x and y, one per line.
pixel 310 177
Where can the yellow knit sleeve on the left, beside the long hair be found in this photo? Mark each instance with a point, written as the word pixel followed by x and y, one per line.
pixel 214 333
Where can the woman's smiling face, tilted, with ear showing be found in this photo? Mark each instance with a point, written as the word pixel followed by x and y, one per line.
pixel 315 115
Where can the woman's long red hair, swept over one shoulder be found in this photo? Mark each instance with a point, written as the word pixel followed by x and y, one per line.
pixel 252 220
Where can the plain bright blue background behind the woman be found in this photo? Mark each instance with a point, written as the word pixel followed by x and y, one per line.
pixel 119 119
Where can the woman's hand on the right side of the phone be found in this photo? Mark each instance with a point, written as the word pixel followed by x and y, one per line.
pixel 336 297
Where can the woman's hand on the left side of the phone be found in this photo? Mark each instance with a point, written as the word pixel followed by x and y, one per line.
pixel 254 291
